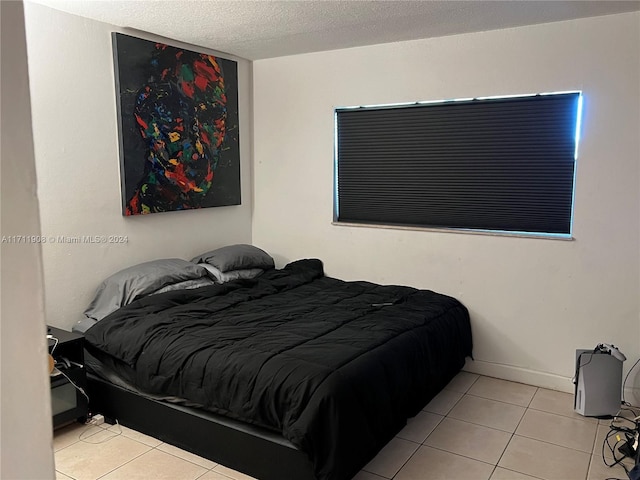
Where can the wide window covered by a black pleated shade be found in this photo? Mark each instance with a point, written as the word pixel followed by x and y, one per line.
pixel 502 164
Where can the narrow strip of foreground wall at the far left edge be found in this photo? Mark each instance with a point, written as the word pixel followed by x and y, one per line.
pixel 25 408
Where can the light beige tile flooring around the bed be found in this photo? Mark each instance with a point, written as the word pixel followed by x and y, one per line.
pixel 477 428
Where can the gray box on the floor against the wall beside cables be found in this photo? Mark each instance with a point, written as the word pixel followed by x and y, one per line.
pixel 598 384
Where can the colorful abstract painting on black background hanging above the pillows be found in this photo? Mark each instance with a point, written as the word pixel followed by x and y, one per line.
pixel 178 120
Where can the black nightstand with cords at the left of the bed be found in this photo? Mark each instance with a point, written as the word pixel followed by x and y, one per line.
pixel 68 403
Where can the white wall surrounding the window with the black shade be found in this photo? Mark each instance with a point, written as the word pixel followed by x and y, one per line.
pixel 532 301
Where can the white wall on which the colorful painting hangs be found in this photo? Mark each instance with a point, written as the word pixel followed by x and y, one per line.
pixel 76 145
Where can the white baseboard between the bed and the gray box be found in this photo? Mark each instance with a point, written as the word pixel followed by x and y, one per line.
pixel 521 375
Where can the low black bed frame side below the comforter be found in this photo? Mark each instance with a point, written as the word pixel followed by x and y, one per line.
pixel 246 448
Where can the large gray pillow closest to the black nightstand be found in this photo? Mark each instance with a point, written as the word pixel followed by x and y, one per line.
pixel 134 282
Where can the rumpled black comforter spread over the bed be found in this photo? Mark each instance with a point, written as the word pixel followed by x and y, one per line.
pixel 336 367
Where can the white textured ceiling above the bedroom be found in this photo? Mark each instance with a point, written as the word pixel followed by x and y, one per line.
pixel 273 28
